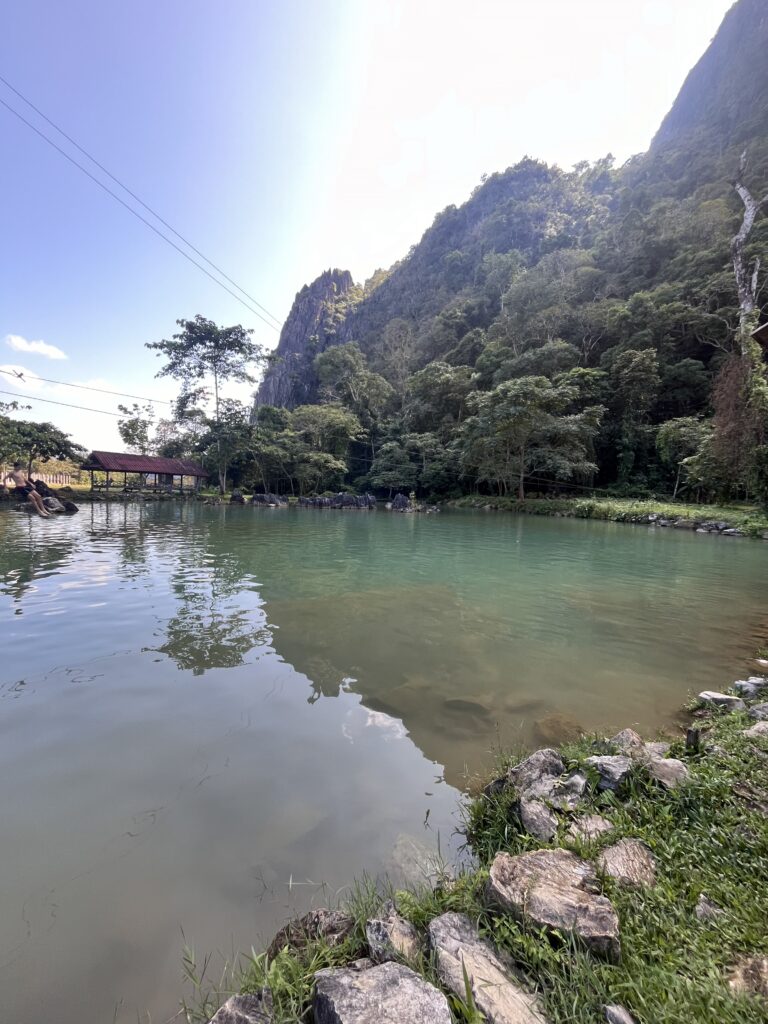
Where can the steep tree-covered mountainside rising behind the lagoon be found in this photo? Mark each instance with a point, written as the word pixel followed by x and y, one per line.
pixel 560 329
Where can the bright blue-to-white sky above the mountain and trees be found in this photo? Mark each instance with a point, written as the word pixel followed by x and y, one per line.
pixel 282 138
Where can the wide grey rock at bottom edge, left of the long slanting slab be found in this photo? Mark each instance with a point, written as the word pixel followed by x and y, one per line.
pixel 389 994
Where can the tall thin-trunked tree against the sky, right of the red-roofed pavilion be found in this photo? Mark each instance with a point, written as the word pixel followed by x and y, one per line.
pixel 202 352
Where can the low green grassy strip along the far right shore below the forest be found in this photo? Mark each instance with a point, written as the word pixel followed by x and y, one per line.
pixel 727 521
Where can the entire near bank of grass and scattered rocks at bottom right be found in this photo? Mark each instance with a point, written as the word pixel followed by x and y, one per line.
pixel 615 881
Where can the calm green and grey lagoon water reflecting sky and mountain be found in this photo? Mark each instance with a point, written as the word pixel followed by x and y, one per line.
pixel 211 718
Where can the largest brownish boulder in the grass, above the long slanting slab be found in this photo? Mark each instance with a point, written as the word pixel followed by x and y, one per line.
pixel 556 890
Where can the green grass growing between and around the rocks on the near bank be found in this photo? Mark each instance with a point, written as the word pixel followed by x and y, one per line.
pixel 709 837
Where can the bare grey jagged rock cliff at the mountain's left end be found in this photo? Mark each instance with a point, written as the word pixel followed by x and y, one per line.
pixel 312 326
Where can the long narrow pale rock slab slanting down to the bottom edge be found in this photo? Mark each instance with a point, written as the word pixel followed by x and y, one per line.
pixel 458 949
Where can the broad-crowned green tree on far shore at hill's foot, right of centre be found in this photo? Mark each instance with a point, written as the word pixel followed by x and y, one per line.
pixel 520 429
